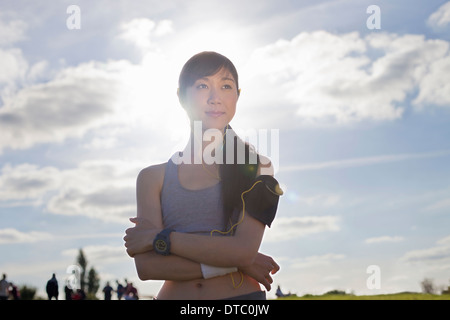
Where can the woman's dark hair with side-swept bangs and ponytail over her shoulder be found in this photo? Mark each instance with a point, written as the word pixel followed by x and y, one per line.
pixel 236 177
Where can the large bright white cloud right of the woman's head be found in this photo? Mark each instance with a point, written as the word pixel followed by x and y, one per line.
pixel 320 77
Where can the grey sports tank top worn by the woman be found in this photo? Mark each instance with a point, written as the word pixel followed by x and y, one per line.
pixel 190 211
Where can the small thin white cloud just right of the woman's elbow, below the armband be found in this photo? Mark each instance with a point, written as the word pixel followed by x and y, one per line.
pixel 296 227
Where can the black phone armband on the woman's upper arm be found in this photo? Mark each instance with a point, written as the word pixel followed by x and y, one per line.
pixel 261 202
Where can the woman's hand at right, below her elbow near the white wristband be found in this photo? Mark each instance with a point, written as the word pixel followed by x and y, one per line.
pixel 262 269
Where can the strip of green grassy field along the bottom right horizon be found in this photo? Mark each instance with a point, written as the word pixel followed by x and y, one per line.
pixel 394 296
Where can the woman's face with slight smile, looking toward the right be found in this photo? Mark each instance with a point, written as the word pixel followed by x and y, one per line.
pixel 212 100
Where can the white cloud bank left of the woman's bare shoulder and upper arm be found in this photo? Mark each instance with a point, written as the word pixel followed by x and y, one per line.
pixel 102 190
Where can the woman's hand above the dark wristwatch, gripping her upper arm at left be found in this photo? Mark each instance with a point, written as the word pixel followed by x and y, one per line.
pixel 139 238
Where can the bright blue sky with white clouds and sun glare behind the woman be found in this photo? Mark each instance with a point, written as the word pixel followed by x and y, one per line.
pixel 355 102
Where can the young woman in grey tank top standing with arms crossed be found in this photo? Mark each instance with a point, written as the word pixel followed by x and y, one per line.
pixel 200 223
